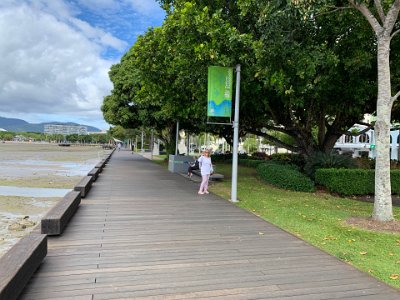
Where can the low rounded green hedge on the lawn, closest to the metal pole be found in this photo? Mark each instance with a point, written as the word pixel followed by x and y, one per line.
pixel 285 176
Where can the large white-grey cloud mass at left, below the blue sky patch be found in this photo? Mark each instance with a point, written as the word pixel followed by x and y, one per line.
pixel 51 63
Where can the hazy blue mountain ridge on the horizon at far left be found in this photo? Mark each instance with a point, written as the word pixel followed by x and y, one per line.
pixel 18 125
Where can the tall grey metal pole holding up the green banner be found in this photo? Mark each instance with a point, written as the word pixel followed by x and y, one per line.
pixel 235 138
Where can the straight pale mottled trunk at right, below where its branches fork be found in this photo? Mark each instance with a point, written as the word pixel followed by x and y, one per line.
pixel 383 199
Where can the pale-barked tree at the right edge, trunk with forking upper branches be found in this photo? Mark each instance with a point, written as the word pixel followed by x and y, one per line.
pixel 383 18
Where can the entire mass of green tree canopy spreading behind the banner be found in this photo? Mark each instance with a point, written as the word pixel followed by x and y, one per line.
pixel 308 70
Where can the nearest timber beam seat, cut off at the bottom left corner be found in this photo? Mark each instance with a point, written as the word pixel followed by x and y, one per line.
pixel 19 264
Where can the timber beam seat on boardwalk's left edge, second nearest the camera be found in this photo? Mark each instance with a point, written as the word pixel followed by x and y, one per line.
pixel 55 221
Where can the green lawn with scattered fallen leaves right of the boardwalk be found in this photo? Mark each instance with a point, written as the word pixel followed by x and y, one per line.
pixel 319 219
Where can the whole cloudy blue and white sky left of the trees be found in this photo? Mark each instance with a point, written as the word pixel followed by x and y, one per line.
pixel 55 55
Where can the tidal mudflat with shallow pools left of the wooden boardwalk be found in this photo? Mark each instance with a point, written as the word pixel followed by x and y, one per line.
pixel 40 173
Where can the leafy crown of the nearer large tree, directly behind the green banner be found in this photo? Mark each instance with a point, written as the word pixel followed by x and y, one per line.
pixel 298 77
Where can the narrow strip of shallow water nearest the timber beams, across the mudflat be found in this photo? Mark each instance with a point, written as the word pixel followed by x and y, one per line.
pixel 32 192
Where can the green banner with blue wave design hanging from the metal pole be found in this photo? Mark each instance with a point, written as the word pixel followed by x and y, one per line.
pixel 220 81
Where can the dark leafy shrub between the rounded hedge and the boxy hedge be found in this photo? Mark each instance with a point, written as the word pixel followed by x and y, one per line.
pixel 327 160
